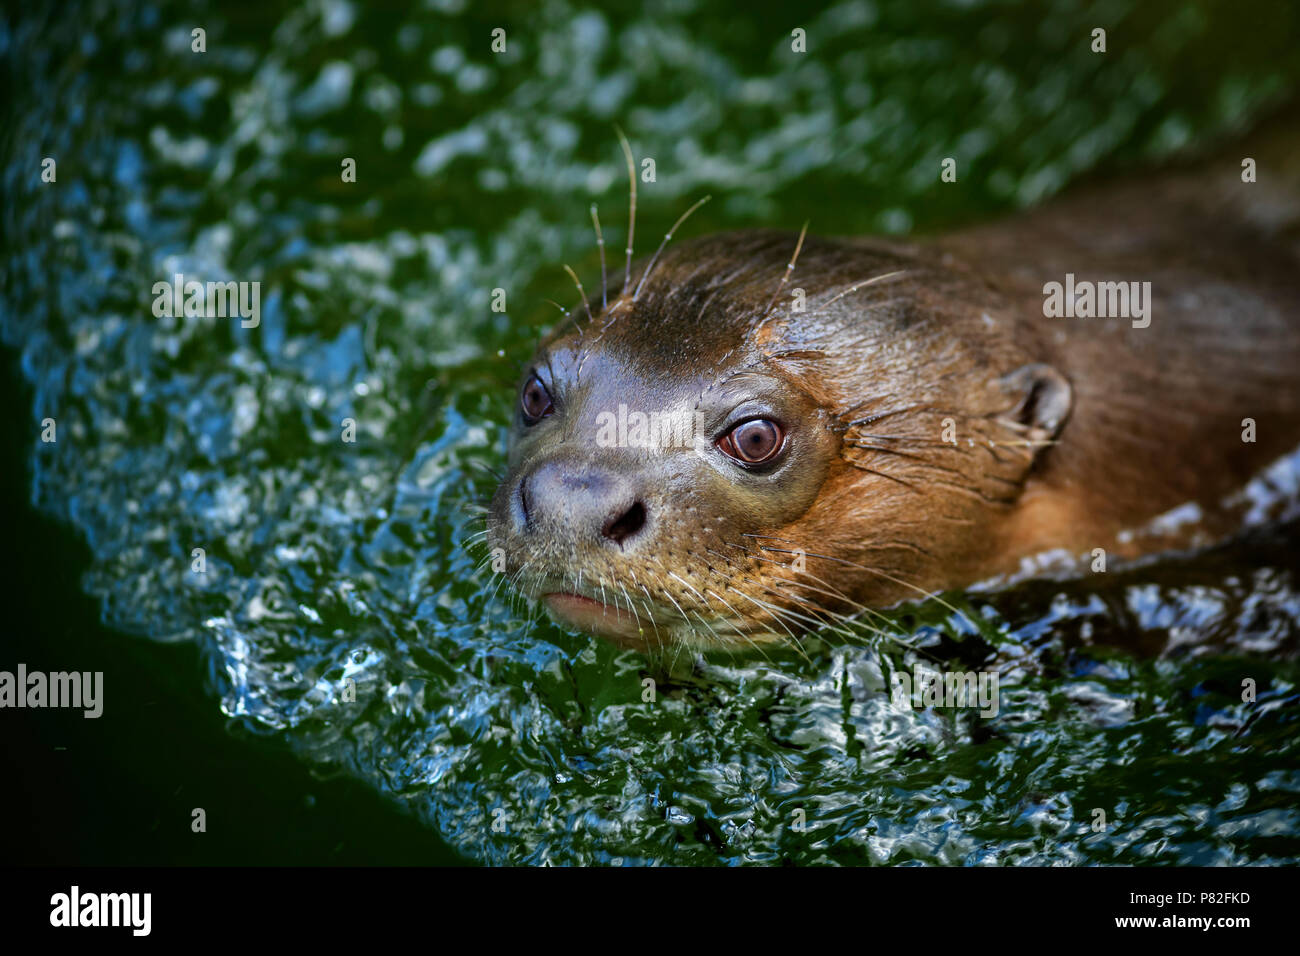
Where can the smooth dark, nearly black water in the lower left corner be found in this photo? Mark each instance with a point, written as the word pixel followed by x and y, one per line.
pixel 122 791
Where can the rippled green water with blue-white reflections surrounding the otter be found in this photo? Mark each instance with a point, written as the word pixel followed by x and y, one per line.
pixel 328 561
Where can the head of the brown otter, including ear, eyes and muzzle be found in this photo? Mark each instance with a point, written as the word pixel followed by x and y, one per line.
pixel 703 464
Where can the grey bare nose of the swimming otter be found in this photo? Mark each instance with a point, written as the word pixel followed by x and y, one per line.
pixel 583 501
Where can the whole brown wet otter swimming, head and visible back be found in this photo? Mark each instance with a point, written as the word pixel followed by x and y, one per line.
pixel 753 435
